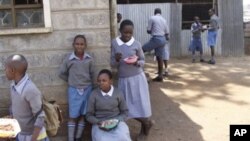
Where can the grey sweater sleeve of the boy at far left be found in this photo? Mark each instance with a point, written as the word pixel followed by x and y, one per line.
pixel 35 100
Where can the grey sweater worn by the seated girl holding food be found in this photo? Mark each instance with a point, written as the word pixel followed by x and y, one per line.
pixel 106 107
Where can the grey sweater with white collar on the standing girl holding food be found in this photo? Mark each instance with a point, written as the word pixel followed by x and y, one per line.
pixel 127 49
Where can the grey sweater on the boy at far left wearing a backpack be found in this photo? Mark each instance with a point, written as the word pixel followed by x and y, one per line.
pixel 26 102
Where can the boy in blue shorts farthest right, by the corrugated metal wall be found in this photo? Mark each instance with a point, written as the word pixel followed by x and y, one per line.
pixel 212 33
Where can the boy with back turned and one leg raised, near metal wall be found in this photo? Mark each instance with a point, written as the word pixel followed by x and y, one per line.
pixel 157 27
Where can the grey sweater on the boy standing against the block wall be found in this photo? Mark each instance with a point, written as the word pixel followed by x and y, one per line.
pixel 78 73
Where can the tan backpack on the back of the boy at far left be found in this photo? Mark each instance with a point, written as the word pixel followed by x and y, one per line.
pixel 53 116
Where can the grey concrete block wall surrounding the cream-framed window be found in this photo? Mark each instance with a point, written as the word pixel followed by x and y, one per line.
pixel 45 52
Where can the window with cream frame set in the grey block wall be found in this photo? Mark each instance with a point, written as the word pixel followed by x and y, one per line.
pixel 24 16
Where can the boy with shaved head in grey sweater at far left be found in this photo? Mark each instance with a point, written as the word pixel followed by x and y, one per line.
pixel 26 101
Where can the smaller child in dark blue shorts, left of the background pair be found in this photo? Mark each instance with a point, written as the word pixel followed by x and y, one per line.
pixel 196 44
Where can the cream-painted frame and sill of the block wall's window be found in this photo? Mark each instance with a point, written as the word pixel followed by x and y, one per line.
pixel 47 24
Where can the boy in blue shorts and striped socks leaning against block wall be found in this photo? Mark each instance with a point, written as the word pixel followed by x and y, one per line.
pixel 78 70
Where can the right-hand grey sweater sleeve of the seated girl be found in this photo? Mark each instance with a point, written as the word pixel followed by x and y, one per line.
pixel 123 108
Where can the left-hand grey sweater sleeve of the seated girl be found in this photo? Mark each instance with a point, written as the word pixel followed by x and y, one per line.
pixel 90 115
